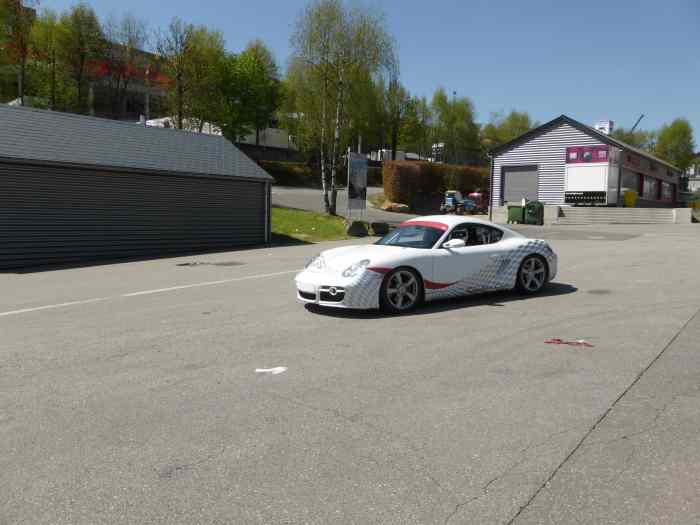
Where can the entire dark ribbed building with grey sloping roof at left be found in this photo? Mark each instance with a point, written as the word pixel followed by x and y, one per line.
pixel 75 188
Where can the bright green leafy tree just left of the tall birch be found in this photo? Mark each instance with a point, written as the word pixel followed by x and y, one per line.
pixel 263 76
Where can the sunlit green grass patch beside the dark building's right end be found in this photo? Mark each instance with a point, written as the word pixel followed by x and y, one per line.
pixel 307 226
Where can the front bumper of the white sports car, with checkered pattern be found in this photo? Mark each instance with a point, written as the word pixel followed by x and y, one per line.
pixel 327 289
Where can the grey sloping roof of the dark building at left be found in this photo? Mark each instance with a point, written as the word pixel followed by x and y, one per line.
pixel 50 136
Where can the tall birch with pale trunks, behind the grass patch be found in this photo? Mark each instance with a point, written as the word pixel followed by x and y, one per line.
pixel 333 46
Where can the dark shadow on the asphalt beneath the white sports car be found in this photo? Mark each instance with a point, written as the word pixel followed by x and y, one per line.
pixel 495 299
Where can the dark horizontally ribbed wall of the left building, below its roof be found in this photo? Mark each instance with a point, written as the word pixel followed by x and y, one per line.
pixel 58 215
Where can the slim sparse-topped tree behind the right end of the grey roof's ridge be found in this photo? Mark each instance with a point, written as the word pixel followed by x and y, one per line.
pixel 174 48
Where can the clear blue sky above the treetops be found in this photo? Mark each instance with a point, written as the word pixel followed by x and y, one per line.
pixel 591 60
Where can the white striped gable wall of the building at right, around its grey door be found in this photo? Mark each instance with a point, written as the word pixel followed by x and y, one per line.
pixel 548 152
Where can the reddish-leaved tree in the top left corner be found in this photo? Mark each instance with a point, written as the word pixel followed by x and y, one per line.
pixel 15 30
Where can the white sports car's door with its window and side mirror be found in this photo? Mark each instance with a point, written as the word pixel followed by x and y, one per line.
pixel 472 268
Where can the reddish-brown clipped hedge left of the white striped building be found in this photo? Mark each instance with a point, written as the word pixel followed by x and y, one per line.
pixel 405 180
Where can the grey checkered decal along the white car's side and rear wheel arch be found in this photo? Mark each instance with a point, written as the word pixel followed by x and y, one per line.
pixel 497 275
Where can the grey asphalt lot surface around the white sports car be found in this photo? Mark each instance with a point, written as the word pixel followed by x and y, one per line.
pixel 197 390
